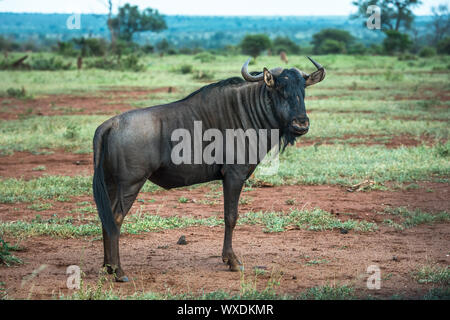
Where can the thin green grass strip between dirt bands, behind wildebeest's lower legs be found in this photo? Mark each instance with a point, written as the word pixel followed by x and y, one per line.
pixel 87 224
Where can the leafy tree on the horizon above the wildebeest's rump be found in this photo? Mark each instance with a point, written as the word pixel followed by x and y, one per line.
pixel 130 21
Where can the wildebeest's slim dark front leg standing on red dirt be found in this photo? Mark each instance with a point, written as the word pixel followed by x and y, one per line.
pixel 232 187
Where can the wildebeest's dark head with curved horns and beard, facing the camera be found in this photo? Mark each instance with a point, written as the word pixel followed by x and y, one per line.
pixel 286 89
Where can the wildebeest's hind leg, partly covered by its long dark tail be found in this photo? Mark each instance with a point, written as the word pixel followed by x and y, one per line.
pixel 122 194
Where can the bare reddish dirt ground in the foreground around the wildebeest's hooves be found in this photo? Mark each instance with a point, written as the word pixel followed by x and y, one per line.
pixel 155 262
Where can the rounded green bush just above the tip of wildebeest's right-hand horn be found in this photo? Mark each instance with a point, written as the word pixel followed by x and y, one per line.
pixel 332 41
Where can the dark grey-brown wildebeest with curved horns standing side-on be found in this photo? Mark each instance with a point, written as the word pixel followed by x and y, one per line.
pixel 136 146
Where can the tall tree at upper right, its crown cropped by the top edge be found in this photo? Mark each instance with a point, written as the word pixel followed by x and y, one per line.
pixel 395 14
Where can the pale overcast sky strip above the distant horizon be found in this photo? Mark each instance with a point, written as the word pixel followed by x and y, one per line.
pixel 203 7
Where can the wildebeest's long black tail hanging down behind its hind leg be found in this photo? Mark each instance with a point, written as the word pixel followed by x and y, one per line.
pixel 98 184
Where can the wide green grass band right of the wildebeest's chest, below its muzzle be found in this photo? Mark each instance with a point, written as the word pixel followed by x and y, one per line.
pixel 347 165
